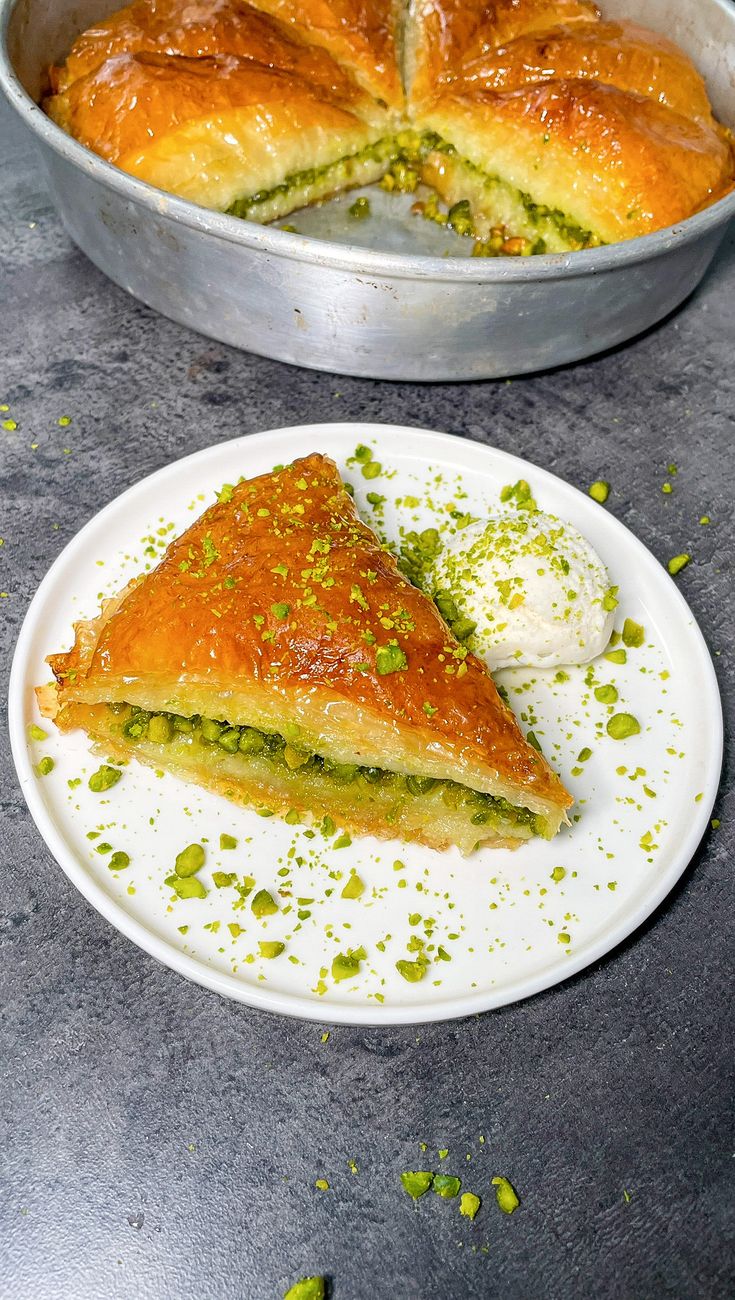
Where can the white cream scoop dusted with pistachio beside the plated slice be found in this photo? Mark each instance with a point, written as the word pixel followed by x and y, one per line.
pixel 535 588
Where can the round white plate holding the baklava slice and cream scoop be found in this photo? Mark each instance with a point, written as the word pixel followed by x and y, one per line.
pixel 643 804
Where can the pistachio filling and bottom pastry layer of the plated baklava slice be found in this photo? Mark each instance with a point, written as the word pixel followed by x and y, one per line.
pixel 262 772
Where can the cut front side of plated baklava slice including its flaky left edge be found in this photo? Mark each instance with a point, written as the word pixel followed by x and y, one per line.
pixel 276 774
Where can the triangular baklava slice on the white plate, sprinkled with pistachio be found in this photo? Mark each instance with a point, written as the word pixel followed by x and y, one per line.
pixel 278 657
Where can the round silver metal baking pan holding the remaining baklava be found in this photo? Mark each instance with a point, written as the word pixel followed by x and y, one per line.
pixel 332 306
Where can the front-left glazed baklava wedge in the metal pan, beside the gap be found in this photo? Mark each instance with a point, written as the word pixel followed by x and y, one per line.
pixel 231 133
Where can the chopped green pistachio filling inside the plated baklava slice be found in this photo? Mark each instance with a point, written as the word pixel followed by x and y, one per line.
pixel 317 775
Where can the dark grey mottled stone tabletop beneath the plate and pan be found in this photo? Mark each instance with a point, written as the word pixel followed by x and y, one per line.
pixel 159 1142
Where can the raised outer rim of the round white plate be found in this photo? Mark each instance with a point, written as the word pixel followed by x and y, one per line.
pixel 339 1012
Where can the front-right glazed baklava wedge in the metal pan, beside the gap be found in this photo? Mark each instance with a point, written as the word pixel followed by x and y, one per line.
pixel 570 163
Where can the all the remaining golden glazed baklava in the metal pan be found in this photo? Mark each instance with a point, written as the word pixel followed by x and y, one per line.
pixel 543 127
